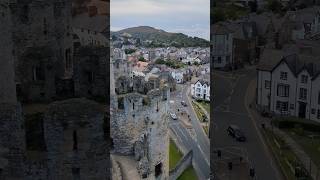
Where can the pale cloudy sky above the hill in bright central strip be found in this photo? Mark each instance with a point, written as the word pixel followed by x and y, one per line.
pixel 191 17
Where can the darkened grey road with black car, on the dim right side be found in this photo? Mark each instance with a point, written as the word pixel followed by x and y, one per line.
pixel 230 108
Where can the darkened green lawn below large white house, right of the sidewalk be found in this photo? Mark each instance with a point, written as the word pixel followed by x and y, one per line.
pixel 309 145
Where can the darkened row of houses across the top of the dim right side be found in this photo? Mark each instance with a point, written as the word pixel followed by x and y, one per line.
pixel 235 43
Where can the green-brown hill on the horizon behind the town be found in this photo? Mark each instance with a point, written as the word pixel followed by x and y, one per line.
pixel 162 38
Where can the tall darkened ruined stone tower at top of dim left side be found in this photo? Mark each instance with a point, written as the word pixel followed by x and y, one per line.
pixel 42 39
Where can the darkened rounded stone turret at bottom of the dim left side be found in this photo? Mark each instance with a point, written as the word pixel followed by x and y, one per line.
pixel 85 157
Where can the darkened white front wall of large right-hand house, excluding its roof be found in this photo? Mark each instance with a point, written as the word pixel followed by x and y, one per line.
pixel 296 95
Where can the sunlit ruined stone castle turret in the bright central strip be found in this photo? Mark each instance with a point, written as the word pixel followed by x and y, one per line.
pixel 139 122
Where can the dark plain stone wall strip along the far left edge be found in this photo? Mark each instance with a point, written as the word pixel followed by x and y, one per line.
pixel 11 120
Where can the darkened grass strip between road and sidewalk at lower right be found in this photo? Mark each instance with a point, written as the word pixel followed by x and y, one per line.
pixel 284 156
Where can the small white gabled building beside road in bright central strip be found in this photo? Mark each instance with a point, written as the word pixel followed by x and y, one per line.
pixel 201 90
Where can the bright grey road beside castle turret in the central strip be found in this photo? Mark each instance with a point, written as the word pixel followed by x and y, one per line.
pixel 199 143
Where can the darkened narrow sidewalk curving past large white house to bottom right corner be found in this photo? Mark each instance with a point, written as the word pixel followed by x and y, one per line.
pixel 295 147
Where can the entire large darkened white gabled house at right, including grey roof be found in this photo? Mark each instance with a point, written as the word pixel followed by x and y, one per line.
pixel 289 85
